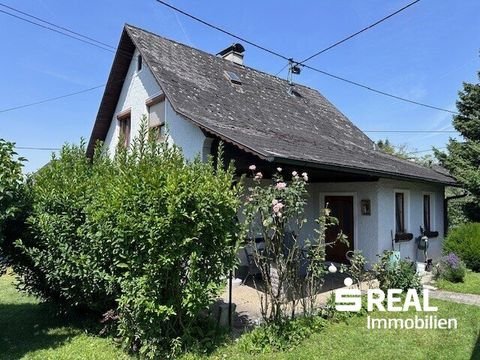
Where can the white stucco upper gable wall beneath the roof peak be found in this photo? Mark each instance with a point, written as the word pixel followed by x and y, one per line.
pixel 137 88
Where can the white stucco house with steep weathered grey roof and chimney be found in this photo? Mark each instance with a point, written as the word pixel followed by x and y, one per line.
pixel 382 202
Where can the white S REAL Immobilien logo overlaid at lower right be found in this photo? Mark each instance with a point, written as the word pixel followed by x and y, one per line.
pixel 394 300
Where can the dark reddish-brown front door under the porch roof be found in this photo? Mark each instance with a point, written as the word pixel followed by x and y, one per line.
pixel 341 207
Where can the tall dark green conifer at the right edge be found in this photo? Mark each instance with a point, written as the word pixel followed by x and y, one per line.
pixel 463 157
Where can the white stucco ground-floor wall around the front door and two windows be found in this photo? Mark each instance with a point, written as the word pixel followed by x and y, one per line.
pixel 372 233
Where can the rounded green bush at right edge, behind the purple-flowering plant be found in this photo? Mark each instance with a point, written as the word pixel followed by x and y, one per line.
pixel 464 241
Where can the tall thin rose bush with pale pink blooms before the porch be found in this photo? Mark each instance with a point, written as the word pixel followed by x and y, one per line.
pixel 292 267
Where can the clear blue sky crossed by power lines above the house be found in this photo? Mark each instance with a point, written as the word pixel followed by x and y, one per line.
pixel 424 54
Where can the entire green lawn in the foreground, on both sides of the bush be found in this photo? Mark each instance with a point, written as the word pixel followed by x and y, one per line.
pixel 29 330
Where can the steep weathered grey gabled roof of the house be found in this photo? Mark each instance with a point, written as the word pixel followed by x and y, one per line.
pixel 260 115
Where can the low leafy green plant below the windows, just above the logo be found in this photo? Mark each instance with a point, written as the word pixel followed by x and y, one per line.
pixel 399 274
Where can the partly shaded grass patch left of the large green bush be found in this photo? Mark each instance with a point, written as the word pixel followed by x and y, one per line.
pixel 32 330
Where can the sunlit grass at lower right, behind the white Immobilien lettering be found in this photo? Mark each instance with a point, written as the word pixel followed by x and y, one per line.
pixel 352 340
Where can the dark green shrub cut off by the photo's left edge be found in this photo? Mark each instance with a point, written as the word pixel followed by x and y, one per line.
pixel 13 200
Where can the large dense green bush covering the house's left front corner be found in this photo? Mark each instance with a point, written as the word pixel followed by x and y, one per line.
pixel 144 234
